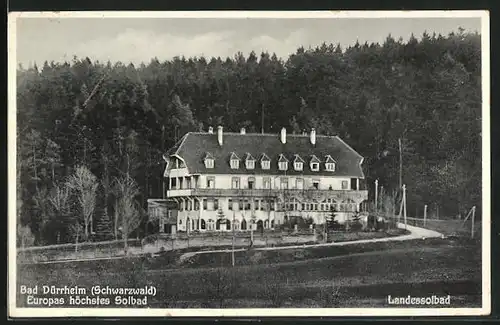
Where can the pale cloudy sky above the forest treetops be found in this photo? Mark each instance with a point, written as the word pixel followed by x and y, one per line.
pixel 139 40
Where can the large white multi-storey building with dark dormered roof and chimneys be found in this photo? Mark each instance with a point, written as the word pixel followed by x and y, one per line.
pixel 257 180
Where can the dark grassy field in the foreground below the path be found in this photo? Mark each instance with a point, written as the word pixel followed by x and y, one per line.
pixel 315 277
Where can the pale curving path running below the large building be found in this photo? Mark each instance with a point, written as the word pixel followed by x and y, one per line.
pixel 415 233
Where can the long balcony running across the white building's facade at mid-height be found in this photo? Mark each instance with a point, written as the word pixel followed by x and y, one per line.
pixel 312 194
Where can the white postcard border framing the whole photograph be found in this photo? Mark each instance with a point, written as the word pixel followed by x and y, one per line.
pixel 251 312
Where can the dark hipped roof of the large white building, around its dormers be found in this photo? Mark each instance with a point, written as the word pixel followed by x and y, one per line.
pixel 194 146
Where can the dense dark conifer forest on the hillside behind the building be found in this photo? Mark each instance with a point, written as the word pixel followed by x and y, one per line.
pixel 90 135
